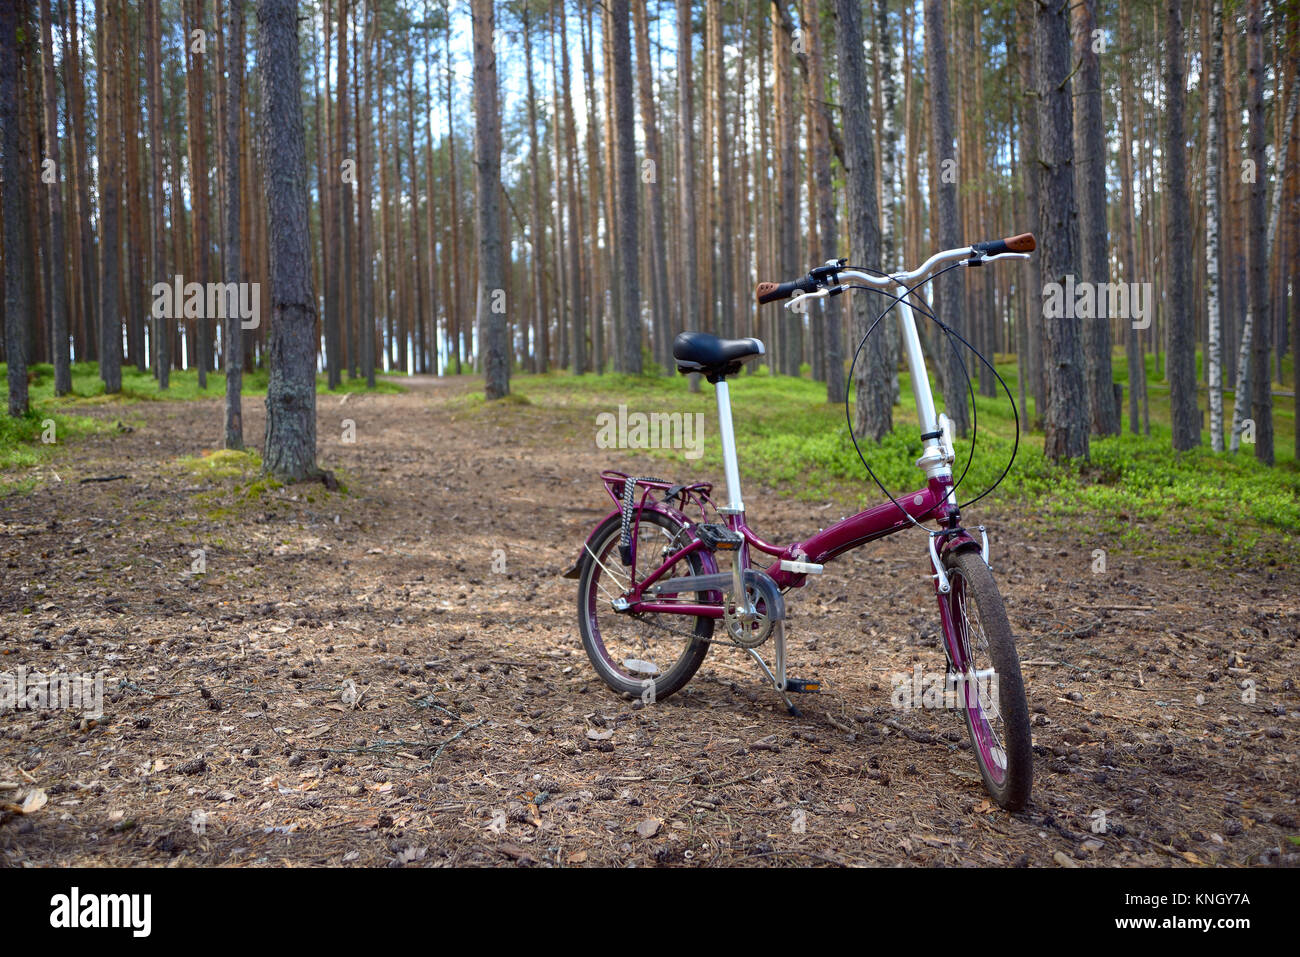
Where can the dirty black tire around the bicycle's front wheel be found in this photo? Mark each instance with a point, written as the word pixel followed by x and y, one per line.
pixel 976 601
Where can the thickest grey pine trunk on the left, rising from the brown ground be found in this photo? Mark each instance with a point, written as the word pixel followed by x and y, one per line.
pixel 291 448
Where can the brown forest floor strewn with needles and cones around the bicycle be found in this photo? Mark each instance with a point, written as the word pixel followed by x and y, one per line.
pixel 392 674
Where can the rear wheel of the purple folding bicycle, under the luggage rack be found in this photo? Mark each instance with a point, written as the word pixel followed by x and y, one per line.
pixel 597 618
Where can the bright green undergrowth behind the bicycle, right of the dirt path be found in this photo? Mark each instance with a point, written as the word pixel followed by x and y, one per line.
pixel 1134 487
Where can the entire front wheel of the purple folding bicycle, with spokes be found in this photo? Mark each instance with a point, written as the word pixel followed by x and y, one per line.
pixel 987 677
